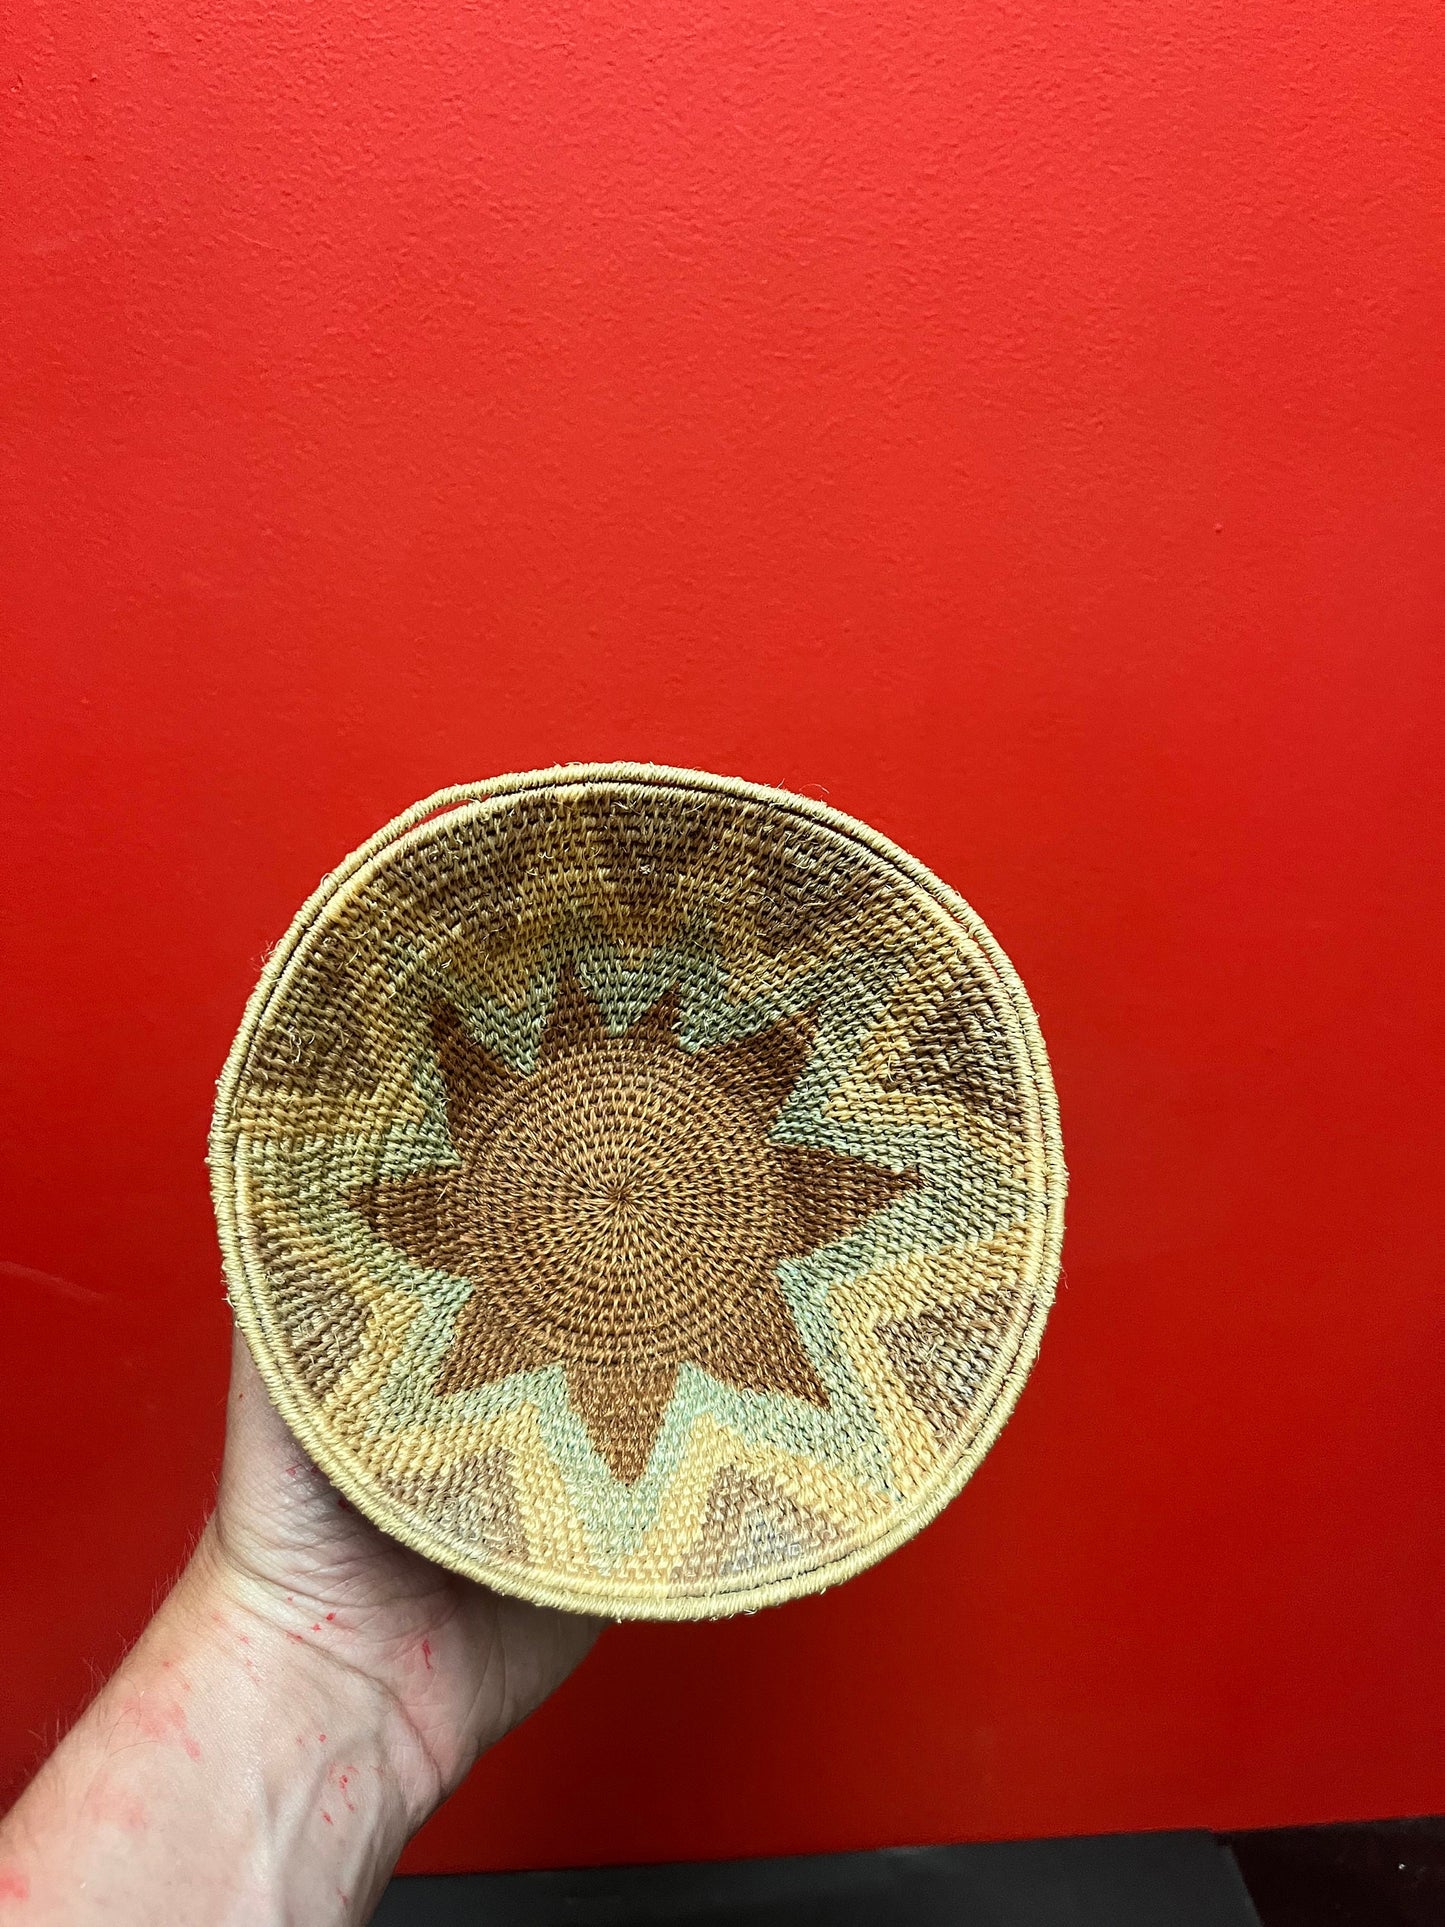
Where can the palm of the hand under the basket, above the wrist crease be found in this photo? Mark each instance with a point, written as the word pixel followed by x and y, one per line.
pixel 461 1664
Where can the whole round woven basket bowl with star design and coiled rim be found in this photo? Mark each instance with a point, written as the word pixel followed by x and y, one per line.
pixel 641 1192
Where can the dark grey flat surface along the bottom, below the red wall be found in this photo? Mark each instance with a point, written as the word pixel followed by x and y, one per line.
pixel 1155 1880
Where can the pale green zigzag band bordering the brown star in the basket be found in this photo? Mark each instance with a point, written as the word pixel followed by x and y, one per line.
pixel 949 1209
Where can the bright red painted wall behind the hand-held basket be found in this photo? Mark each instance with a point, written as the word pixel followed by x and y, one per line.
pixel 1020 425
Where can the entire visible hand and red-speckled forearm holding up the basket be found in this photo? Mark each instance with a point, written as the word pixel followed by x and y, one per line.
pixel 302 1703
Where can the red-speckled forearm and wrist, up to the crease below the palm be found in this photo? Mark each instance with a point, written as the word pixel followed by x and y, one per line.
pixel 230 1772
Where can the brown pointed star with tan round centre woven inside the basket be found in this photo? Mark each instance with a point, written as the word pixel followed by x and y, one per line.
pixel 621 1211
